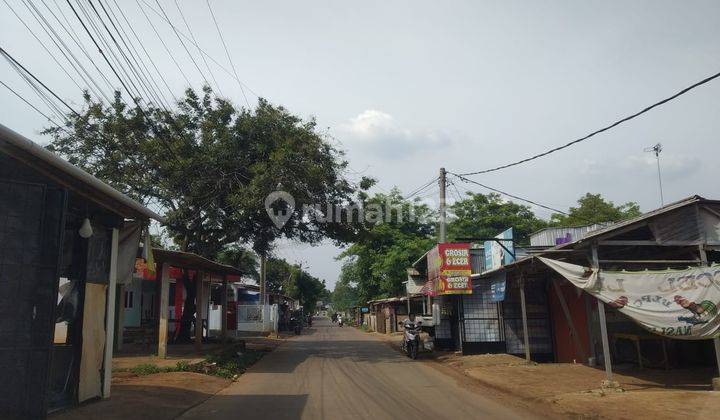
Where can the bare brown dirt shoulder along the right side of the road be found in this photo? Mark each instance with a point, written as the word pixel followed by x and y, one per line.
pixel 573 390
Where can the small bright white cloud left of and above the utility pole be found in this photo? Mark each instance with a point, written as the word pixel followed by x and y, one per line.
pixel 379 133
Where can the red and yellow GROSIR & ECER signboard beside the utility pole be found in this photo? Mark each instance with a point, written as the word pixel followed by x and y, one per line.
pixel 449 269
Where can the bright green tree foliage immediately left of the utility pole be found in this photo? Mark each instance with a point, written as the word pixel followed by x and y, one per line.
pixel 377 261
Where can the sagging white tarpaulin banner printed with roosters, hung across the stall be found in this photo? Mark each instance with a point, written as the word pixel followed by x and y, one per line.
pixel 674 303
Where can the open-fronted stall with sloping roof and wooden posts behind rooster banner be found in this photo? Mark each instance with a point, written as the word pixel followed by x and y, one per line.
pixel 579 327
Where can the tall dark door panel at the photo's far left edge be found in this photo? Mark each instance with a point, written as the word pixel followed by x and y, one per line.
pixel 31 221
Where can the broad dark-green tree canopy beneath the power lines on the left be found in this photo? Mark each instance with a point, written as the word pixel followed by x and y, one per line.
pixel 209 166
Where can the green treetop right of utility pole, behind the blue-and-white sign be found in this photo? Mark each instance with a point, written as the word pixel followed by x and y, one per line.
pixel 486 215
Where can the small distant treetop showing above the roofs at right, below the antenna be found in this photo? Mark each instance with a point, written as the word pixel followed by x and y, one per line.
pixel 593 208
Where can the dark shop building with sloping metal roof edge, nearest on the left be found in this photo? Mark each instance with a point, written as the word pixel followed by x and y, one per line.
pixel 66 239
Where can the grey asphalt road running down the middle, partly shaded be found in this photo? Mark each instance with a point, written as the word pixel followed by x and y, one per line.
pixel 342 373
